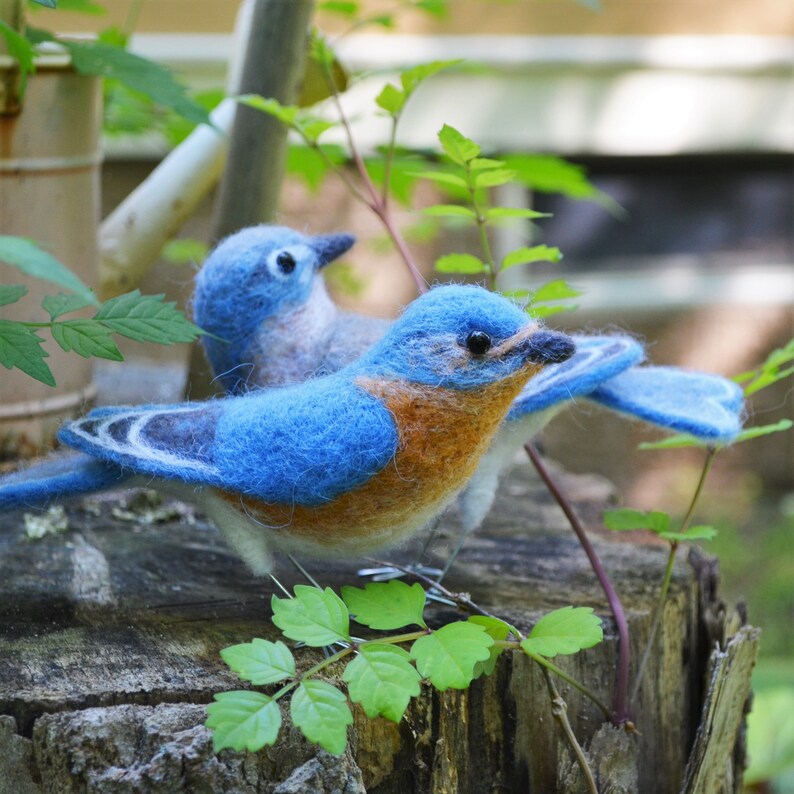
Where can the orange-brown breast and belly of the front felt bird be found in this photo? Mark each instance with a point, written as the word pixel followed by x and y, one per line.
pixel 442 436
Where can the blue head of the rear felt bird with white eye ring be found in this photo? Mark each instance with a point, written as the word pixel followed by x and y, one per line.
pixel 252 275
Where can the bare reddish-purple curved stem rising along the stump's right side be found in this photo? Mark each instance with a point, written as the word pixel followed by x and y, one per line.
pixel 620 714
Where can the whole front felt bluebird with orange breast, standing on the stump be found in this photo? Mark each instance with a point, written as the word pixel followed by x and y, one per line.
pixel 334 466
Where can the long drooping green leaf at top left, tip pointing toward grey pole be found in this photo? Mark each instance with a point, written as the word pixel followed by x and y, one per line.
pixel 139 74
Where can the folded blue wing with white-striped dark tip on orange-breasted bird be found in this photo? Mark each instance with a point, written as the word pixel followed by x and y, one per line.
pixel 304 444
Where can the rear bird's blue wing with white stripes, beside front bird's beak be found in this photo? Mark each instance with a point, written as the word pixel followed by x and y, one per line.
pixel 596 359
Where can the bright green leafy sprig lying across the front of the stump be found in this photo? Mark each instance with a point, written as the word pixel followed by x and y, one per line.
pixel 381 676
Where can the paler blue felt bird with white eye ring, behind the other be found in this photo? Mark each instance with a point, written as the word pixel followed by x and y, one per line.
pixel 262 290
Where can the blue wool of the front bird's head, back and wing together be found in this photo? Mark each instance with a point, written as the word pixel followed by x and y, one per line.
pixel 309 443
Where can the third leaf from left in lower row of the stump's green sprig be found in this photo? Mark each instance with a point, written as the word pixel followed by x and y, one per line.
pixel 383 680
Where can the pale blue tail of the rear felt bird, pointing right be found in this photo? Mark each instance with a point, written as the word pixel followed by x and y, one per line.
pixel 706 406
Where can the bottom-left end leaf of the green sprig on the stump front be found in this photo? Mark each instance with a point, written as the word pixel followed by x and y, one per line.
pixel 243 720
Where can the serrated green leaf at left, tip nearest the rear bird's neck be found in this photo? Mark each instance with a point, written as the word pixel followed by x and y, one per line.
pixel 147 318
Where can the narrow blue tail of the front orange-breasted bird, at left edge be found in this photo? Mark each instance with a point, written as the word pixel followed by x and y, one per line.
pixel 58 476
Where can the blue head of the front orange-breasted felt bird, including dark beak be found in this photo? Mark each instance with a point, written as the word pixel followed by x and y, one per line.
pixel 463 337
